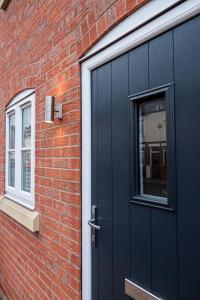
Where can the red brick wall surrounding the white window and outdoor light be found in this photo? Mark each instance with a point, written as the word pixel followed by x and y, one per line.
pixel 40 43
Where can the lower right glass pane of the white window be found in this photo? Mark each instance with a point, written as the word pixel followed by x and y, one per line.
pixel 26 171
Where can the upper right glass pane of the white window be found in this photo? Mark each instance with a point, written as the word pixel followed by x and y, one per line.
pixel 26 127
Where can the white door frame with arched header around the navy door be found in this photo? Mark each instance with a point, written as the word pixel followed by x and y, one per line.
pixel 95 58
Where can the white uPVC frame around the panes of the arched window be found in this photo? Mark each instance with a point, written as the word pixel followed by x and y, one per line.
pixel 21 101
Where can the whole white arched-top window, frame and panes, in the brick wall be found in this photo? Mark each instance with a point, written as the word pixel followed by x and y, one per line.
pixel 20 149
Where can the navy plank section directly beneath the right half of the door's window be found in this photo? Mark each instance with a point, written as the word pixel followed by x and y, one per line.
pixel 164 254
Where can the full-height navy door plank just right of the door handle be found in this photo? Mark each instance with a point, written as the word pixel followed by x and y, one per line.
pixel 105 183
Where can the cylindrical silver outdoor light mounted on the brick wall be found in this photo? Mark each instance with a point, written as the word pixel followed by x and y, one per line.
pixel 51 108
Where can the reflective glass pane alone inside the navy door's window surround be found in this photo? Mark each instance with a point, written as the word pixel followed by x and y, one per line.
pixel 152 138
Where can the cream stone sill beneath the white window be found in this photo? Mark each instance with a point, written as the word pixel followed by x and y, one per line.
pixel 29 219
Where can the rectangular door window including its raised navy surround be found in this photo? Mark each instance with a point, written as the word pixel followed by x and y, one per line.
pixel 153 147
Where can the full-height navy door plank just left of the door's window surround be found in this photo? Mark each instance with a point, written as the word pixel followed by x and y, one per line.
pixel 121 182
